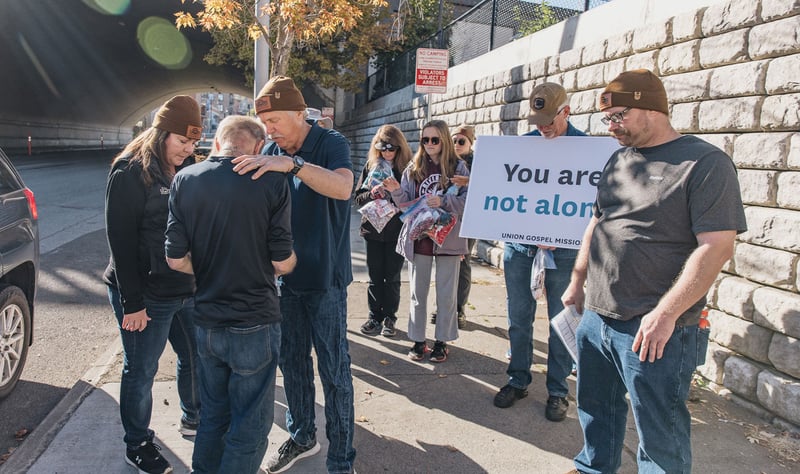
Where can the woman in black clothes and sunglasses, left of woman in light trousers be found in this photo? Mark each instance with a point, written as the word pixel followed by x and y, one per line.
pixel 384 264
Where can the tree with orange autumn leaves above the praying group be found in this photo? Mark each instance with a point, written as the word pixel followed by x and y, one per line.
pixel 335 25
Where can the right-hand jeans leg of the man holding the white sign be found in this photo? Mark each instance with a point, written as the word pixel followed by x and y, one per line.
pixel 559 362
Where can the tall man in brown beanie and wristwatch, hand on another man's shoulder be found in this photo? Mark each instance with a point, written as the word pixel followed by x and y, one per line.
pixel 314 296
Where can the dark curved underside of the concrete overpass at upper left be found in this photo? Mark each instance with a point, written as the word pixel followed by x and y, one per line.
pixel 73 70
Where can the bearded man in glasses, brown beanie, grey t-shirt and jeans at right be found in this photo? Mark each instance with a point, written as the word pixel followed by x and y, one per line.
pixel 667 212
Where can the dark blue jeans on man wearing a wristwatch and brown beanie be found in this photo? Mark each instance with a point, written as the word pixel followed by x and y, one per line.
pixel 318 318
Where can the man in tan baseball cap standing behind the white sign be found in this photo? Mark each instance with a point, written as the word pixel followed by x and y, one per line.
pixel 549 112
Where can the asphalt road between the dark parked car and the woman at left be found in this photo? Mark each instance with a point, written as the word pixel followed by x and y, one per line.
pixel 73 324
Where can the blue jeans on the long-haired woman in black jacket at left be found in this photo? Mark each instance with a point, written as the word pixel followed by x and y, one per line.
pixel 170 320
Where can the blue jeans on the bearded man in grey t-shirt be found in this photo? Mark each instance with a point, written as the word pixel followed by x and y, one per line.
pixel 607 370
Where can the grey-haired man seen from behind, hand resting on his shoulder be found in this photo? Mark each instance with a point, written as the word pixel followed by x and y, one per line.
pixel 234 234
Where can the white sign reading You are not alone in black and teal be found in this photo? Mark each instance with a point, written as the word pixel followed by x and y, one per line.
pixel 532 190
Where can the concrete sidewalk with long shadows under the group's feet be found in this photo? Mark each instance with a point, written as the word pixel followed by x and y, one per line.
pixel 410 417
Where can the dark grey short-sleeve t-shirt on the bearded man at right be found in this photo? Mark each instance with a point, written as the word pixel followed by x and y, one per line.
pixel 651 203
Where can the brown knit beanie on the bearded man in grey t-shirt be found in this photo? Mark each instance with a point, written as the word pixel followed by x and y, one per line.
pixel 639 89
